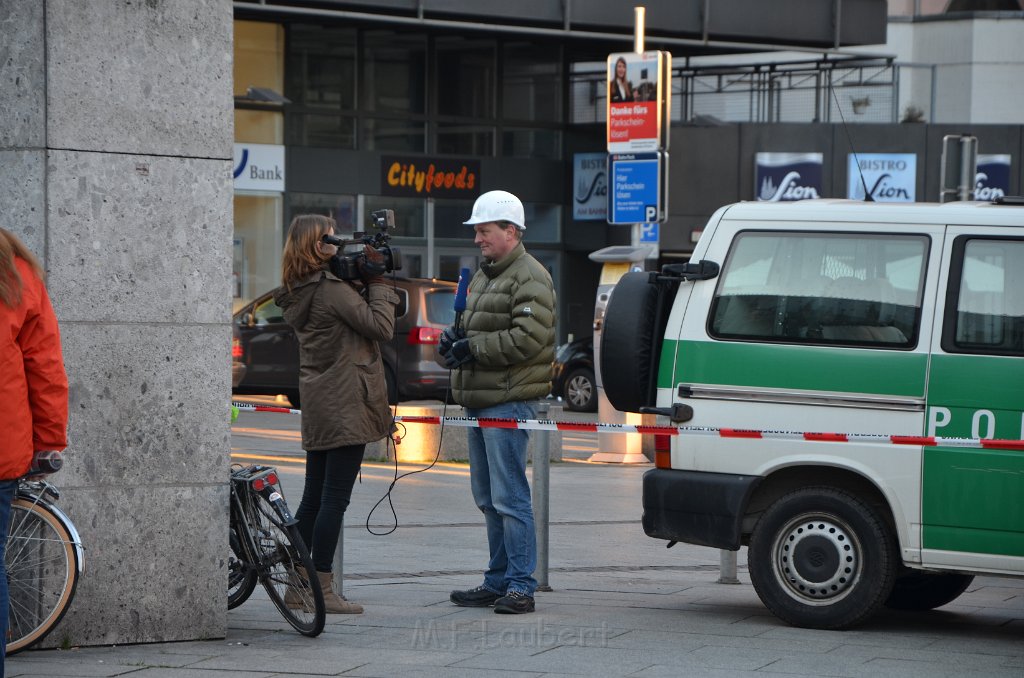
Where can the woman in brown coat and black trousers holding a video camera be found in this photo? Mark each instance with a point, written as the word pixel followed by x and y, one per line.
pixel 342 383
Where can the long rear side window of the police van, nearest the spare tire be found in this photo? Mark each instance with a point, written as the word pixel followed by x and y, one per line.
pixel 830 289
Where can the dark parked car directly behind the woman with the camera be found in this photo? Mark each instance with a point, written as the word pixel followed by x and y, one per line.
pixel 270 350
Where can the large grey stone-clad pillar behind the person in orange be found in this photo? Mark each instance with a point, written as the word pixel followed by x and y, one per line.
pixel 116 133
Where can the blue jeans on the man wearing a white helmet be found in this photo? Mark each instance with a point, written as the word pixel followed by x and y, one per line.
pixel 498 476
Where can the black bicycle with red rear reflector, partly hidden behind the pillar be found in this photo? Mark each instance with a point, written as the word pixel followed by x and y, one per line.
pixel 266 547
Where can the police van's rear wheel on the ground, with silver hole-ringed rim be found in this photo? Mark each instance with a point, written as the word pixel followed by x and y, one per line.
pixel 823 559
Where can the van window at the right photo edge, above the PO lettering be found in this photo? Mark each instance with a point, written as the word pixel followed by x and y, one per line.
pixel 985 310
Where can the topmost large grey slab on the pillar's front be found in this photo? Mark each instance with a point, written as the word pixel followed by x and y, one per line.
pixel 145 77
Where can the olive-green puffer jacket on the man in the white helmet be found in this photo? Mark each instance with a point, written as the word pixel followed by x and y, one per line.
pixel 510 324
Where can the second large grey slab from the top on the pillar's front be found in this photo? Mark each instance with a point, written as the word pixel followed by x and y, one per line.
pixel 140 238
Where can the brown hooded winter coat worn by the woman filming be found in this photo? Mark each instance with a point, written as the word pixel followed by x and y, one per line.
pixel 342 376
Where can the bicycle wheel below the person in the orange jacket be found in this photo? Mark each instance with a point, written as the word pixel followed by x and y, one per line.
pixel 42 573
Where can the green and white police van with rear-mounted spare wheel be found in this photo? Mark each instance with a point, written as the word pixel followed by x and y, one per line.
pixel 808 340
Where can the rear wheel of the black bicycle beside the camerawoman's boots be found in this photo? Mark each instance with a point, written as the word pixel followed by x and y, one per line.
pixel 279 552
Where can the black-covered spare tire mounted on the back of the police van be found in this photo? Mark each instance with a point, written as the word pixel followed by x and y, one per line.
pixel 628 334
